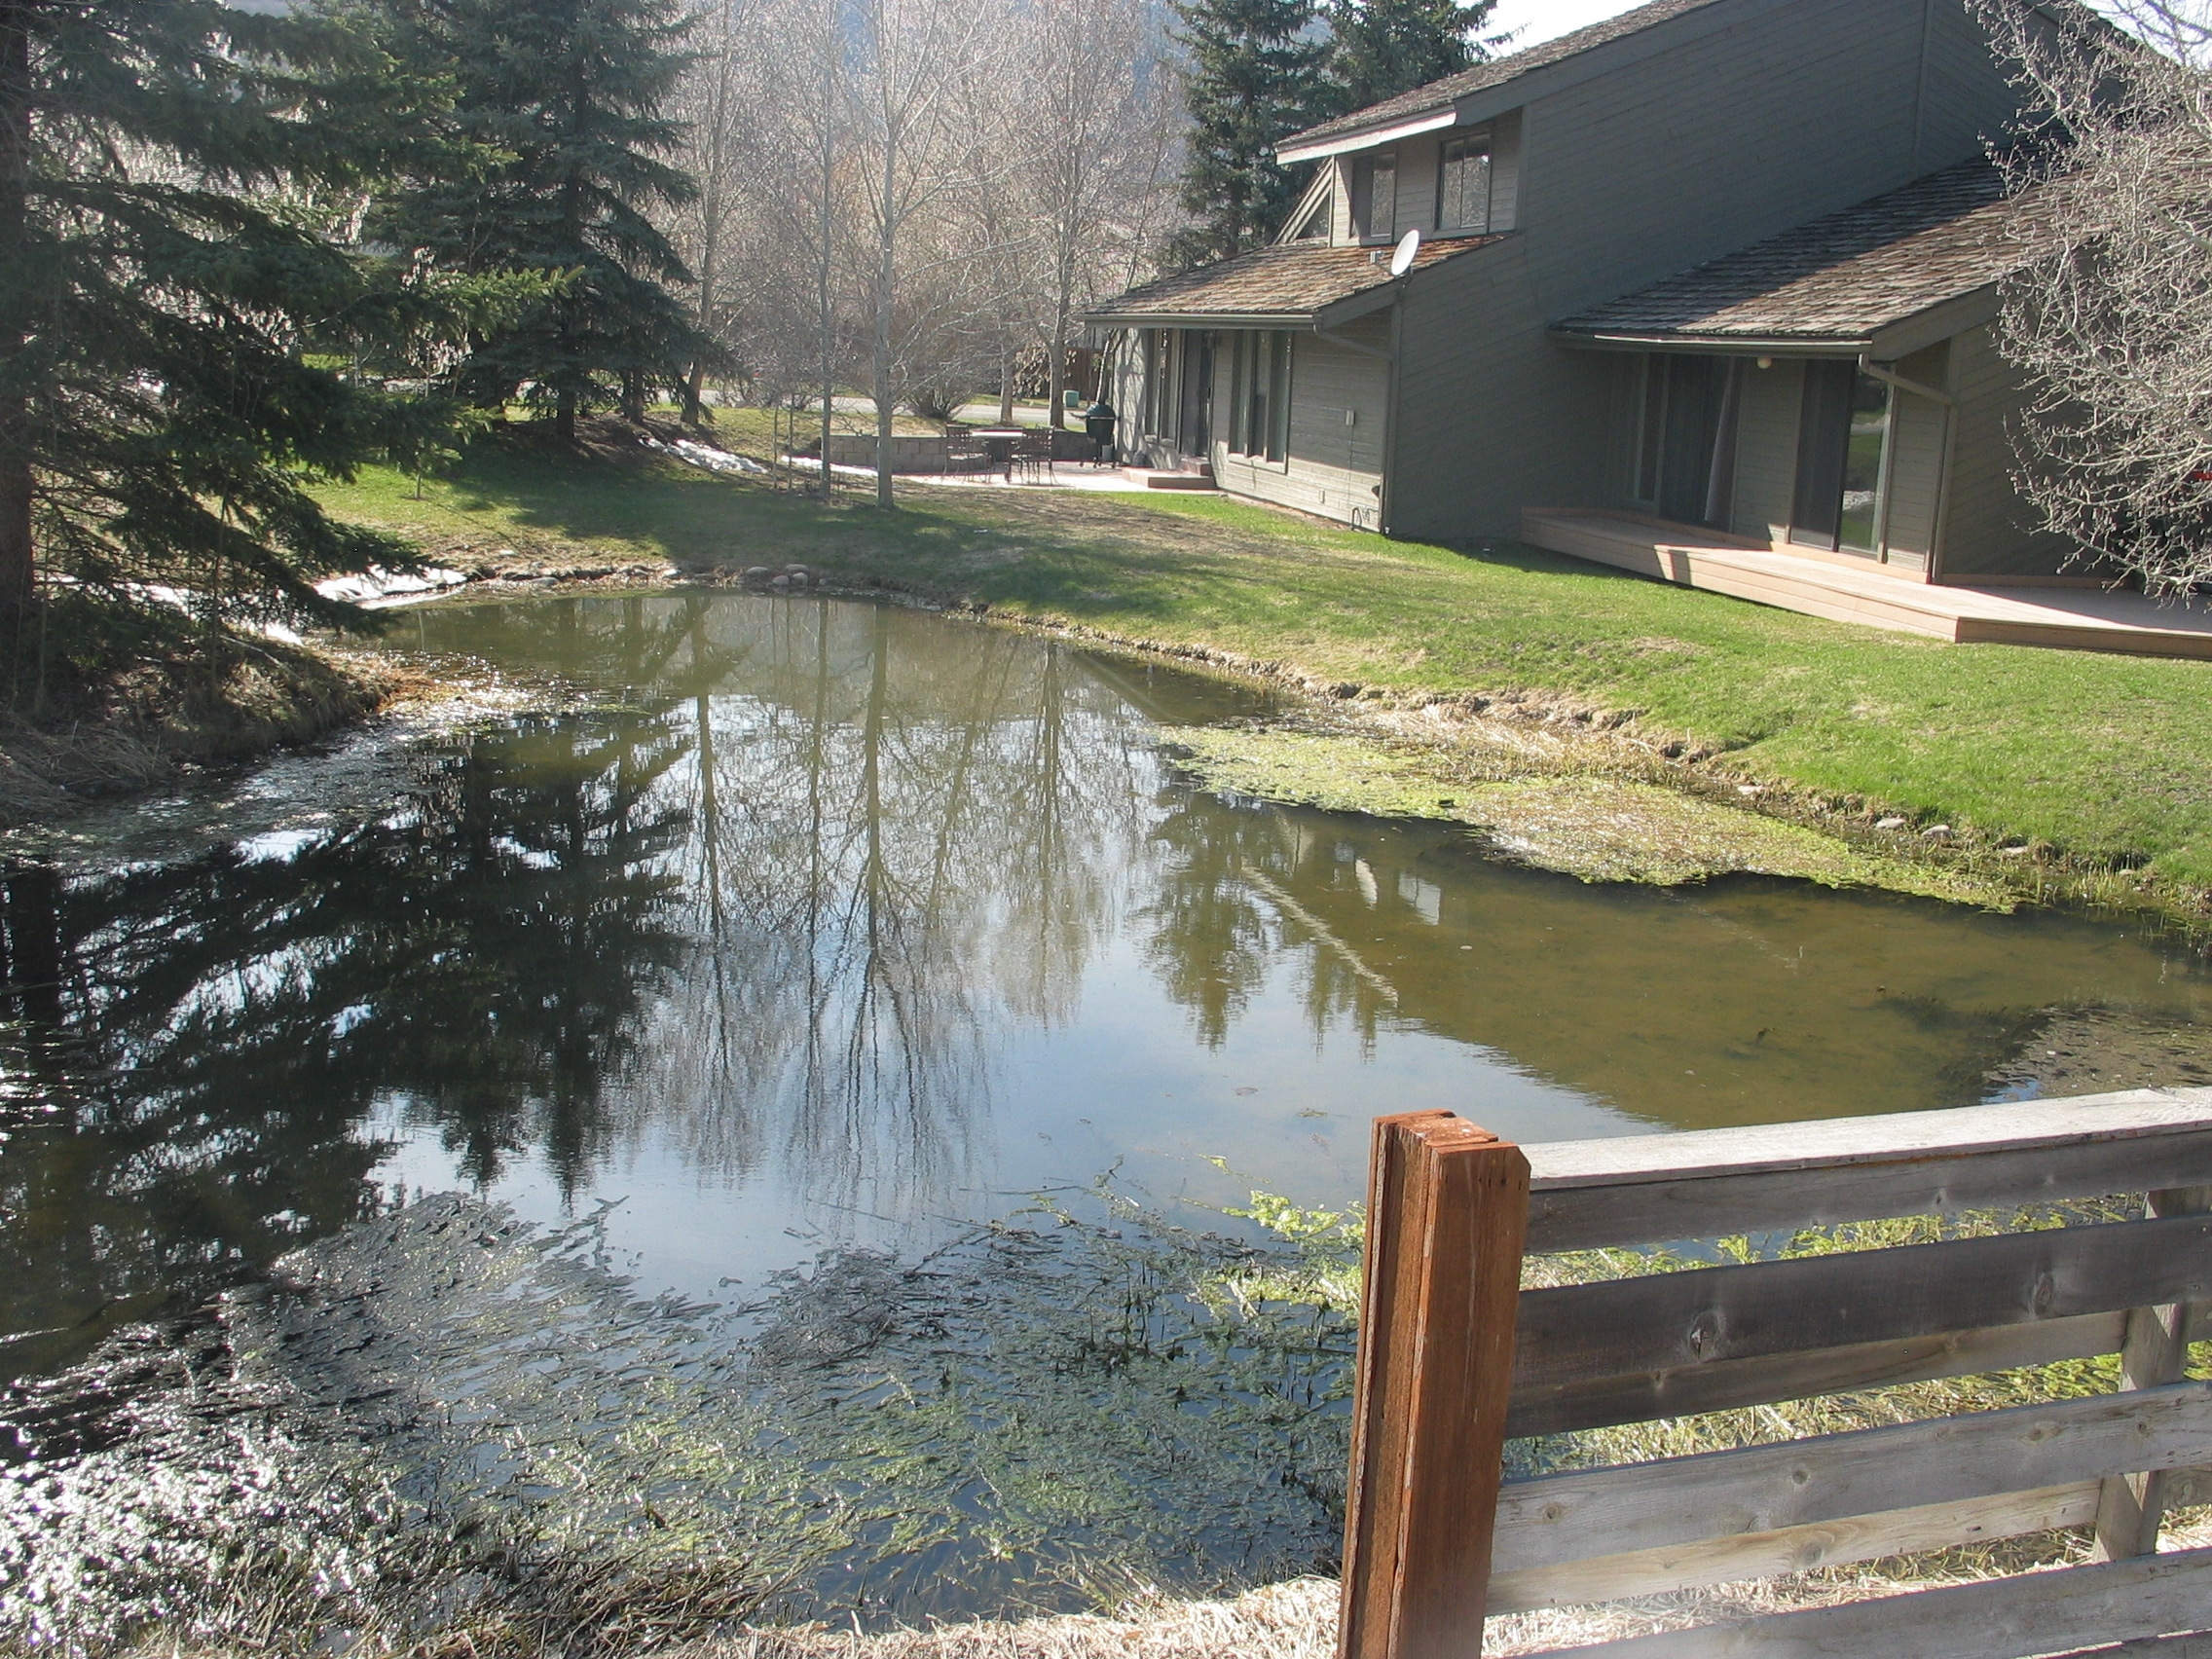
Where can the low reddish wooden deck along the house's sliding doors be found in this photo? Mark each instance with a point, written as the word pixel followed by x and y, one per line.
pixel 1868 594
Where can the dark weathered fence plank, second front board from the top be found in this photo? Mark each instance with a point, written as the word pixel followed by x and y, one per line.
pixel 1711 1315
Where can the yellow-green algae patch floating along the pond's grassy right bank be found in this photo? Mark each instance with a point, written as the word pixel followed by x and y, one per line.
pixel 1598 828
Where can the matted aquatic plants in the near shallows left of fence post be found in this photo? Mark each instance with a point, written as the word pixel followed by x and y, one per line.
pixel 448 1430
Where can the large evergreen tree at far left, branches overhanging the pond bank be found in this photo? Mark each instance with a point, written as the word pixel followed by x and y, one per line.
pixel 174 320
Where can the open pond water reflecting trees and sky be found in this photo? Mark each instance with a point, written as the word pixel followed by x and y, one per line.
pixel 811 924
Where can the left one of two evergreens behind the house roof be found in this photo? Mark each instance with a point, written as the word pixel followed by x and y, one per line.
pixel 1255 74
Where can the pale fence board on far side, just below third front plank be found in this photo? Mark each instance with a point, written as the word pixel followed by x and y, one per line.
pixel 1795 1550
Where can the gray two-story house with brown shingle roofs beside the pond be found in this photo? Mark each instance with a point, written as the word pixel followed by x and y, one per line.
pixel 1718 264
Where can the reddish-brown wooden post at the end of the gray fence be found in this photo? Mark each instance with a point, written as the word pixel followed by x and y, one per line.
pixel 1448 1207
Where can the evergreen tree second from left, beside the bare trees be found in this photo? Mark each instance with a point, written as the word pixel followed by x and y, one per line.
pixel 570 94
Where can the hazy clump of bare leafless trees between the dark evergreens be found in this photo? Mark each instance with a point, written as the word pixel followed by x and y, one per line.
pixel 917 194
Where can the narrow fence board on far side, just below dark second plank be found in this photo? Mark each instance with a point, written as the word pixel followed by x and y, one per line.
pixel 1724 1386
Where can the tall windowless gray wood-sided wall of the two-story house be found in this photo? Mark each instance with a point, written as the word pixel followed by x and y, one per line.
pixel 1784 114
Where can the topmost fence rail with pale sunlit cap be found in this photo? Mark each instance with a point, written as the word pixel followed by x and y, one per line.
pixel 1784 1176
